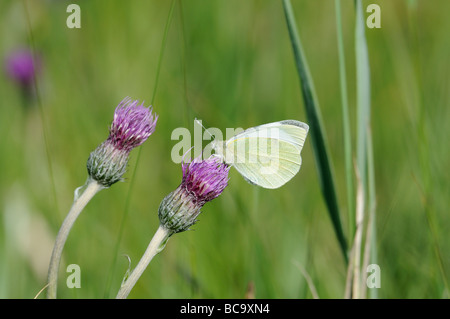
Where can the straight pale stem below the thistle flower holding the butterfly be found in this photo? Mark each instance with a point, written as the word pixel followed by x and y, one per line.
pixel 156 245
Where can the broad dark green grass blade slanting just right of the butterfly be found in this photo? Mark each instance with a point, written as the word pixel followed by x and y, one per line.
pixel 318 136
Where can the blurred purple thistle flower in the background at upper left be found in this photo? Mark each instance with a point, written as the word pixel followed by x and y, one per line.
pixel 21 68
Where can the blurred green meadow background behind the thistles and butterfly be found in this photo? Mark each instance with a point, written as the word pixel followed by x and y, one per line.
pixel 231 64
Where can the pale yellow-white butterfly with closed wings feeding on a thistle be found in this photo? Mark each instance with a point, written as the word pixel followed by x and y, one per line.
pixel 267 155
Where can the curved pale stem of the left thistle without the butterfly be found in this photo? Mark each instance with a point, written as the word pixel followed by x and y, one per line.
pixel 90 189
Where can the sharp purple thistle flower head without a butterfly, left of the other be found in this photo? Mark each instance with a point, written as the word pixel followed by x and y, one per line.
pixel 132 125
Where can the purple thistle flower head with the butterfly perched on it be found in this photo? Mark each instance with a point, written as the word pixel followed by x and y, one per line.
pixel 203 180
